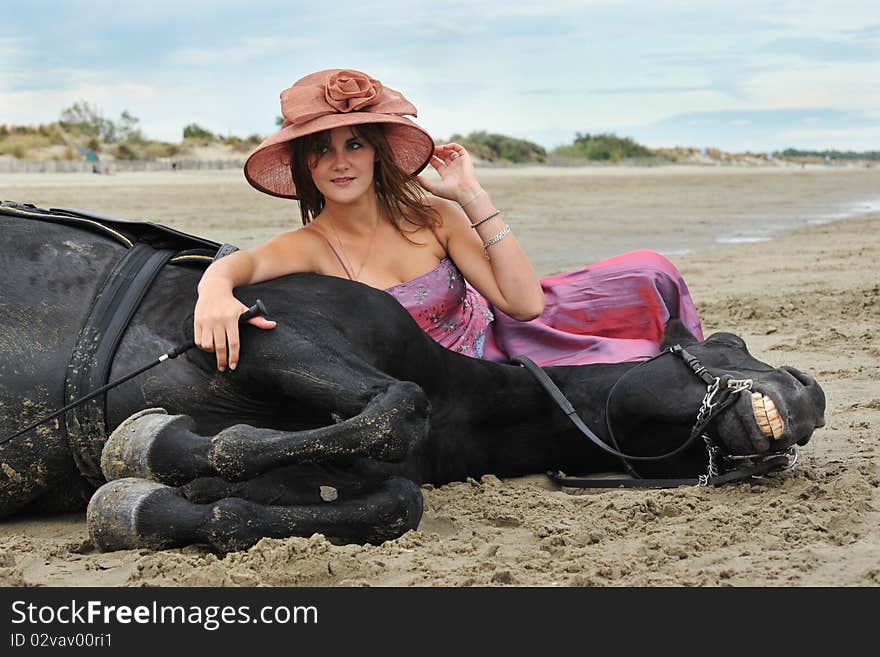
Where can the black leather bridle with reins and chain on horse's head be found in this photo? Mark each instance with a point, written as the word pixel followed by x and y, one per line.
pixel 723 467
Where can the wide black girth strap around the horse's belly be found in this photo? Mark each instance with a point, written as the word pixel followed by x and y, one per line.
pixel 89 366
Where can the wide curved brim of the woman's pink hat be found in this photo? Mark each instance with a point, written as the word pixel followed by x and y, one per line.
pixel 267 169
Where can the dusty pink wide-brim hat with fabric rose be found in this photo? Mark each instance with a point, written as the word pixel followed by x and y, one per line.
pixel 330 99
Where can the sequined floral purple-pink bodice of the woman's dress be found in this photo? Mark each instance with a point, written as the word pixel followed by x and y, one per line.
pixel 447 308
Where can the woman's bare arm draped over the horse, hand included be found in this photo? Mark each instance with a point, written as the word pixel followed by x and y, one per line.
pixel 215 323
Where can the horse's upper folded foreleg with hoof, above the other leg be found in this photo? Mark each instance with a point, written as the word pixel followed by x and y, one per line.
pixel 166 448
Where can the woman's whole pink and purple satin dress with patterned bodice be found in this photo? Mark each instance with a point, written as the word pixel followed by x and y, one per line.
pixel 612 311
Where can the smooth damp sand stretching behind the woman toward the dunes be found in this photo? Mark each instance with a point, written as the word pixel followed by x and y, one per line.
pixel 565 217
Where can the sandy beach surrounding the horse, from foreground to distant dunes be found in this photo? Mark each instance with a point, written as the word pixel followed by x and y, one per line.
pixel 809 298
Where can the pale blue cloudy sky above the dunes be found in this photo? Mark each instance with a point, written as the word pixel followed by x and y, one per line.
pixel 747 75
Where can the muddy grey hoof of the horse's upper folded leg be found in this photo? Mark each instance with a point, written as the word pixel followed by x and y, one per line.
pixel 127 450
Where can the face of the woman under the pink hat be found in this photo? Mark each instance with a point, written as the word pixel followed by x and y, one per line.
pixel 343 169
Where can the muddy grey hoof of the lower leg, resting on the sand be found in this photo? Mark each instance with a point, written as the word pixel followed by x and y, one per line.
pixel 113 511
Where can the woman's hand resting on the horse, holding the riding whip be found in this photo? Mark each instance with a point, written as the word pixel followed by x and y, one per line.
pixel 215 325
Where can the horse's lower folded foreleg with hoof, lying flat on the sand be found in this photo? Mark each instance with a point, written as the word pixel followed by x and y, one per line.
pixel 134 513
